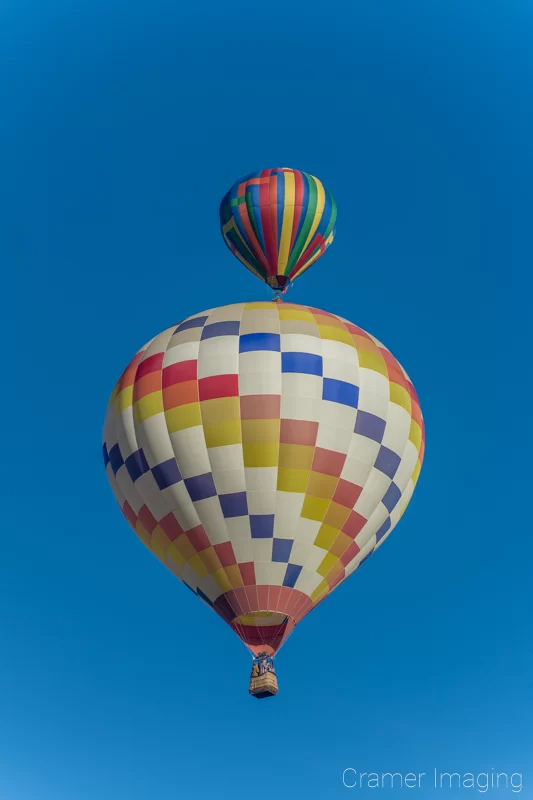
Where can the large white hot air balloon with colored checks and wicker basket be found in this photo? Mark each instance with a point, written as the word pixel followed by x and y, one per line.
pixel 263 451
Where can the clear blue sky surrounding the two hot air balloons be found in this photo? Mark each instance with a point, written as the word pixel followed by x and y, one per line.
pixel 123 123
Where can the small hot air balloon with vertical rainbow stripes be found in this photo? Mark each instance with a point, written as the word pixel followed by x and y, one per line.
pixel 277 222
